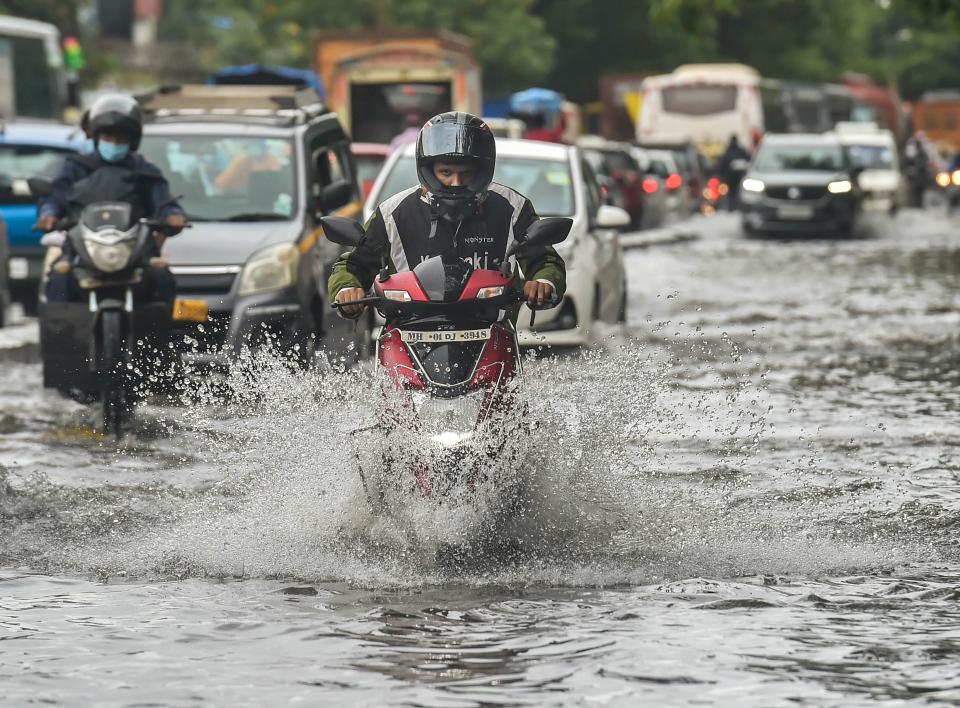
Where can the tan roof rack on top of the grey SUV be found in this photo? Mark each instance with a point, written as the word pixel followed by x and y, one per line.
pixel 283 105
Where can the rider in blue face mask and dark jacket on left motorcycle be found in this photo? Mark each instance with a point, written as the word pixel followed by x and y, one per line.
pixel 116 126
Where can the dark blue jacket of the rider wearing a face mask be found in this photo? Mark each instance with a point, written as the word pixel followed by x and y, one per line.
pixel 78 167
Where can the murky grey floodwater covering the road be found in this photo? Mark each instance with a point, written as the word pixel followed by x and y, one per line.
pixel 750 497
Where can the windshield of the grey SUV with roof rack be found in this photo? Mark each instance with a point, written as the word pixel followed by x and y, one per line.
pixel 227 178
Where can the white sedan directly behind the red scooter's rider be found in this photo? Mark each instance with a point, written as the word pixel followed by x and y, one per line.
pixel 559 182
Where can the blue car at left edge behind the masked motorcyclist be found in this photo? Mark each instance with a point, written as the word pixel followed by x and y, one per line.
pixel 29 149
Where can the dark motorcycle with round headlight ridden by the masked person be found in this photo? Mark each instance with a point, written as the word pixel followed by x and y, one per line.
pixel 100 348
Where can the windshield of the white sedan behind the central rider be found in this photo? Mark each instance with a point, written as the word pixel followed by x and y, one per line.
pixel 546 183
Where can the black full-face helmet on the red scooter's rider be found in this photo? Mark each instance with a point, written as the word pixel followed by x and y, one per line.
pixel 456 137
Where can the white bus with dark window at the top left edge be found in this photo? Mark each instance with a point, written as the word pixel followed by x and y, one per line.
pixel 32 76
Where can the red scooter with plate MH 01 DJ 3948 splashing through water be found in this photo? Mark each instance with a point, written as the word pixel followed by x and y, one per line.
pixel 449 360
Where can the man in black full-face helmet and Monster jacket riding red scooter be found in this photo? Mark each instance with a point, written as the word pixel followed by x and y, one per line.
pixel 457 211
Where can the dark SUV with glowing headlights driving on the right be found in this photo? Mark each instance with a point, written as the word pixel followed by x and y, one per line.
pixel 800 184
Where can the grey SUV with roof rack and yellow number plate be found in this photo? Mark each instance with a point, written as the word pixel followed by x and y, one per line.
pixel 252 271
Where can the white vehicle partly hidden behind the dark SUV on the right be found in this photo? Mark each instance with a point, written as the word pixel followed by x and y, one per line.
pixel 873 153
